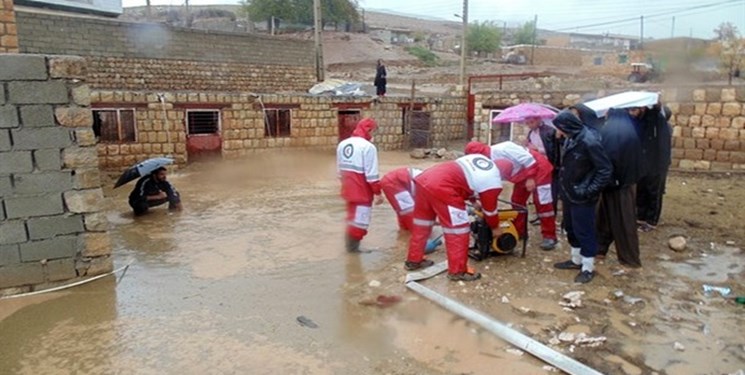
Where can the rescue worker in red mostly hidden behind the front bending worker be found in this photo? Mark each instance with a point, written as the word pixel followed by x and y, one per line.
pixel 398 187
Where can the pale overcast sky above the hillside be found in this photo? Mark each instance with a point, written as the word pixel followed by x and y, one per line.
pixel 692 17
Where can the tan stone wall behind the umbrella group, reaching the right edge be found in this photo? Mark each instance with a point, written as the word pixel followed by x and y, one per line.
pixel 708 123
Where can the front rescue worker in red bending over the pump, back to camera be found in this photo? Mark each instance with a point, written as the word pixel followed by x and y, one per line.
pixel 441 192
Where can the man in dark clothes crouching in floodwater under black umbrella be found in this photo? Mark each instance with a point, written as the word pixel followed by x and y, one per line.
pixel 154 190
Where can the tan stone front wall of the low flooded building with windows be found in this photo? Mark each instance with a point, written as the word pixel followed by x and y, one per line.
pixel 315 122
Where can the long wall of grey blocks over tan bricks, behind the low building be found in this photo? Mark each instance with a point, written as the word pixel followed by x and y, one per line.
pixel 139 56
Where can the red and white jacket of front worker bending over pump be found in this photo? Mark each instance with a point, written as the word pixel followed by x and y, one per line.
pixel 450 182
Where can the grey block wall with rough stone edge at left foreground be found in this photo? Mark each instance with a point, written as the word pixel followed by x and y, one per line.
pixel 51 229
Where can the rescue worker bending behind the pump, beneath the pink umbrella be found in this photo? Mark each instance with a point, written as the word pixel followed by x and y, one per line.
pixel 531 172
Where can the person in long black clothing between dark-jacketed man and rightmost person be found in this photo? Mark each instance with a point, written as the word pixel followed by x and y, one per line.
pixel 617 212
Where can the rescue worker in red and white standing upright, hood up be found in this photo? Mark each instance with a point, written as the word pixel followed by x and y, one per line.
pixel 357 165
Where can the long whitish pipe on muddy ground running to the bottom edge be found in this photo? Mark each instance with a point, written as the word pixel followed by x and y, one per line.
pixel 515 338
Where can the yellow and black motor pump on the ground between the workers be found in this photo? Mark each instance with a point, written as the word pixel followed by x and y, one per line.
pixel 484 245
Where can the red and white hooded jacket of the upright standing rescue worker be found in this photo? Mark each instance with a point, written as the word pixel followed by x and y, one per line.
pixel 357 164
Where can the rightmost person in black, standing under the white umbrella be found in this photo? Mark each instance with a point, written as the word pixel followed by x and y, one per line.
pixel 657 150
